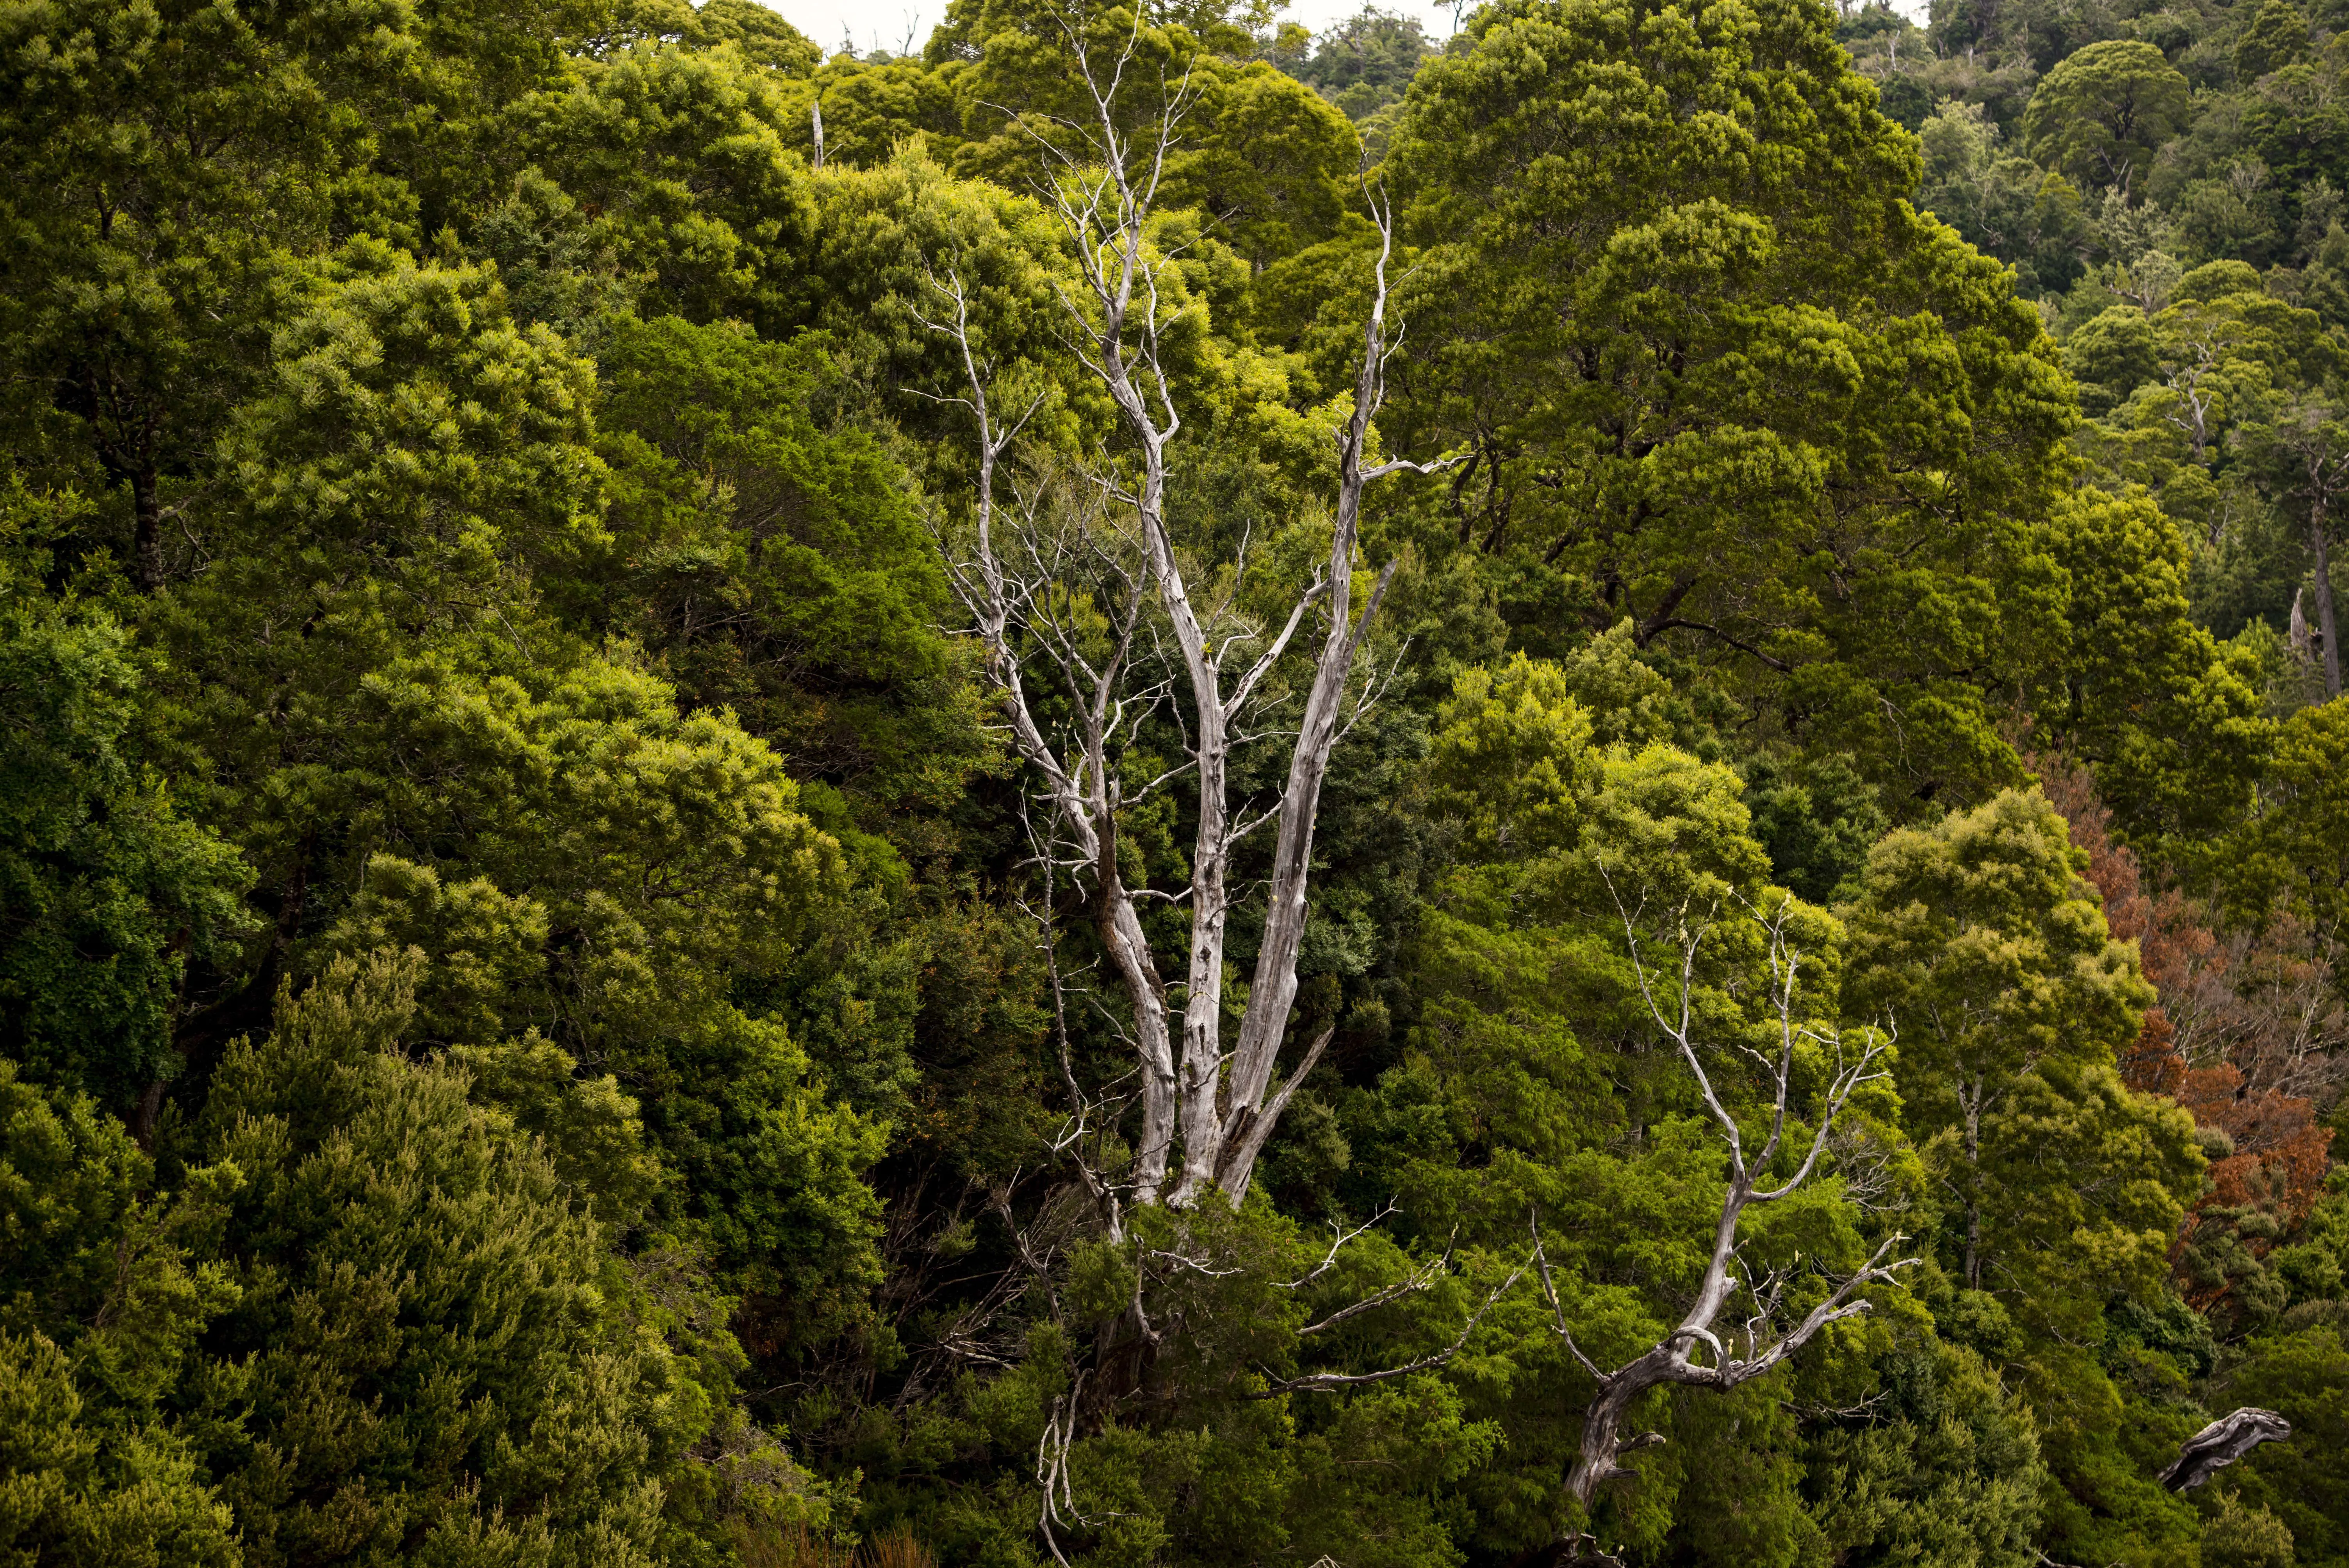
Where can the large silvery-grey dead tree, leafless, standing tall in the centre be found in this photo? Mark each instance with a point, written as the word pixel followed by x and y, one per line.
pixel 1089 588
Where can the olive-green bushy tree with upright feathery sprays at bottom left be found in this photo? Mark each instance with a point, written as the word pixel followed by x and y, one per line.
pixel 497 1316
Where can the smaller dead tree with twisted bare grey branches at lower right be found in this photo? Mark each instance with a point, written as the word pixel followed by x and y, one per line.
pixel 1700 1351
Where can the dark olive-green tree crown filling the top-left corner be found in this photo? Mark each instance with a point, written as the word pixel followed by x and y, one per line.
pixel 175 165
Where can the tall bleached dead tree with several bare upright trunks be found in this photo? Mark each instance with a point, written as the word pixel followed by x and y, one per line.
pixel 1206 1109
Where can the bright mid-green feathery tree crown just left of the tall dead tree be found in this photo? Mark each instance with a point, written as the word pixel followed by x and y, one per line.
pixel 781 569
